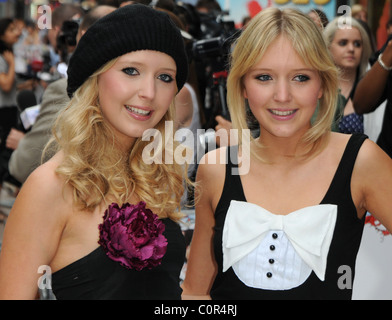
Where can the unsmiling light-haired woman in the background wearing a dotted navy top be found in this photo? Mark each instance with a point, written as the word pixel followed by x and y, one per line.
pixel 351 50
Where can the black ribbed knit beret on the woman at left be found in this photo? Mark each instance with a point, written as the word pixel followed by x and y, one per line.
pixel 130 28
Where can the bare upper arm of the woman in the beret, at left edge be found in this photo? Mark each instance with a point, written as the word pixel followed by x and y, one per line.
pixel 31 236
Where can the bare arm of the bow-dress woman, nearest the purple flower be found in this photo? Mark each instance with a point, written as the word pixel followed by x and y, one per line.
pixel 201 267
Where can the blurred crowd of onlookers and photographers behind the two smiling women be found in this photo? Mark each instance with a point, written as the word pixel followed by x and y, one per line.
pixel 33 72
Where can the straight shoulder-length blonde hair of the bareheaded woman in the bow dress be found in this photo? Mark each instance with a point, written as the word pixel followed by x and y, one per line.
pixel 309 43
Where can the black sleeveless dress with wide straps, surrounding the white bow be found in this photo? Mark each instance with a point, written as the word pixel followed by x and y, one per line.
pixel 341 257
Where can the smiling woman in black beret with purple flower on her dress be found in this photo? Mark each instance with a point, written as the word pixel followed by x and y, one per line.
pixel 97 216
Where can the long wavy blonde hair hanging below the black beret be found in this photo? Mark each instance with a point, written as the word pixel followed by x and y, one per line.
pixel 98 171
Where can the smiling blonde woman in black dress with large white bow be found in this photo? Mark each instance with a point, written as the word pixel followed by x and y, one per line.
pixel 291 227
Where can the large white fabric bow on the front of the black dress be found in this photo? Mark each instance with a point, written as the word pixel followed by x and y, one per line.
pixel 309 230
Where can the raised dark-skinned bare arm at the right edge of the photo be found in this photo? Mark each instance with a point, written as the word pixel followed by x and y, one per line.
pixel 371 90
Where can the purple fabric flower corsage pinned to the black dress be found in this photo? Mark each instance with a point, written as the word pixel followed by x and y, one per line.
pixel 133 236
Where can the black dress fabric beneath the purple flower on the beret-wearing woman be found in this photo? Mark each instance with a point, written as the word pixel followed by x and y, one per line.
pixel 97 277
